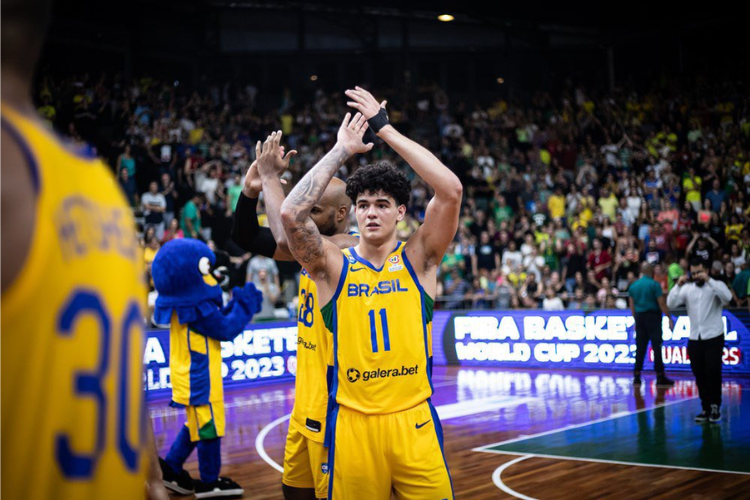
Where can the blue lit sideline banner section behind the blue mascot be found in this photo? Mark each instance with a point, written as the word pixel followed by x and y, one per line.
pixel 263 353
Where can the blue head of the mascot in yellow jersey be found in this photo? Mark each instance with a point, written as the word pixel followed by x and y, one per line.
pixel 182 272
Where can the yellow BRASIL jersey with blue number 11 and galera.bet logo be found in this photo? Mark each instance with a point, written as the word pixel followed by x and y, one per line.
pixel 381 320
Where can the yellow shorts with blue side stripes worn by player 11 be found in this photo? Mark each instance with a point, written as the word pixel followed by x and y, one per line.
pixel 399 452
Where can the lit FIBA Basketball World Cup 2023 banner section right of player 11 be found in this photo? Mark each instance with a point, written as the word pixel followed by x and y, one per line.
pixel 572 339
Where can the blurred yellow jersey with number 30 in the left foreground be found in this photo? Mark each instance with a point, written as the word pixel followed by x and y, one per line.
pixel 72 335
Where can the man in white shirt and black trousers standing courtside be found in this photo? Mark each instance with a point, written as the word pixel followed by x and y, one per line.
pixel 704 298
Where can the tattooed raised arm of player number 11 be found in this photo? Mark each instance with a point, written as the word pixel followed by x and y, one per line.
pixel 320 258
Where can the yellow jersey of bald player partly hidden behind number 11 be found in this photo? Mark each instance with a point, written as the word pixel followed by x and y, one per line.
pixel 313 341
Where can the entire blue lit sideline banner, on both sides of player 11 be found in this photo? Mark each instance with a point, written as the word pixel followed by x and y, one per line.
pixel 267 352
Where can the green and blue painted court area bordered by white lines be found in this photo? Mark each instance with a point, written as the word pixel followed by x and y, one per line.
pixel 660 436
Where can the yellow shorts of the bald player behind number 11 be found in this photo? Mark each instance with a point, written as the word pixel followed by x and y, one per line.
pixel 305 463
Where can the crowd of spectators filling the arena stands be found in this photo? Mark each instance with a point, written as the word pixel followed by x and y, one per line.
pixel 565 195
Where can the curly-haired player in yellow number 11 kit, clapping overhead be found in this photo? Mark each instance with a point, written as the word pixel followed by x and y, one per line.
pixel 383 433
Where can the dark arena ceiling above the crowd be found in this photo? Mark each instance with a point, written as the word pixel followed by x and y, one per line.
pixel 284 43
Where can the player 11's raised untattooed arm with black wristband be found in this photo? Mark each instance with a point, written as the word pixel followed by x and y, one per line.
pixel 429 243
